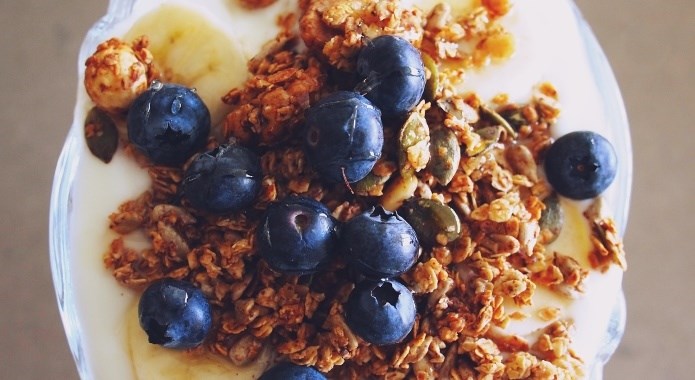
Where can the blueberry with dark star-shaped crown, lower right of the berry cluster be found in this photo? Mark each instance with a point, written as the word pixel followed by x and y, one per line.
pixel 380 312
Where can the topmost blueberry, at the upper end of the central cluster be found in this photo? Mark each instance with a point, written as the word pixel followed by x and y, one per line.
pixel 393 74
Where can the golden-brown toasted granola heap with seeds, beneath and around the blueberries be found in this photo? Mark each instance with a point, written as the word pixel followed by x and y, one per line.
pixel 476 162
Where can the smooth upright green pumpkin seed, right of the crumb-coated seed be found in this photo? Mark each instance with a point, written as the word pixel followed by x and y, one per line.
pixel 445 155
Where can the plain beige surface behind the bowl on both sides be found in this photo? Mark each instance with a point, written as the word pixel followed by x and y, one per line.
pixel 651 47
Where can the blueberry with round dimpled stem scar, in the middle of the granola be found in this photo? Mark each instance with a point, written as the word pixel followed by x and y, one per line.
pixel 297 235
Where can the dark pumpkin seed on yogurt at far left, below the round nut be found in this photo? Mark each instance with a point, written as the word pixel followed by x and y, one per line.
pixel 100 134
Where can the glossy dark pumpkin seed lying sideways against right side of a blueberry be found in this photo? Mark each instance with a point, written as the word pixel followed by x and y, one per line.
pixel 433 221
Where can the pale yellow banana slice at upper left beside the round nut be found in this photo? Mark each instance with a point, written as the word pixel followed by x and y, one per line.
pixel 189 50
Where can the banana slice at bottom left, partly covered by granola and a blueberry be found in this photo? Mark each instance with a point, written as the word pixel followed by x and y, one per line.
pixel 151 361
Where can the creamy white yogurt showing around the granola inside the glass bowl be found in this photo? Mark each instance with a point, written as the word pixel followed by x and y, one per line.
pixel 549 48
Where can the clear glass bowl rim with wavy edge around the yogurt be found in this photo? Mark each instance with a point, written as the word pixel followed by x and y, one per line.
pixel 62 230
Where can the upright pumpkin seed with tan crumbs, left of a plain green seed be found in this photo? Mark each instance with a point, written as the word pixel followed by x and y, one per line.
pixel 413 143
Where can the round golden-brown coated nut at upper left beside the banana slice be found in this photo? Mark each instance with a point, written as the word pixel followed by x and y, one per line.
pixel 117 73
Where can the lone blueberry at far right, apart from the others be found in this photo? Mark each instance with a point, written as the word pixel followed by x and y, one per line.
pixel 580 165
